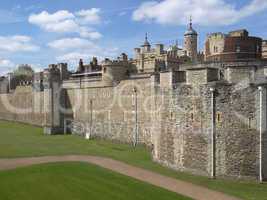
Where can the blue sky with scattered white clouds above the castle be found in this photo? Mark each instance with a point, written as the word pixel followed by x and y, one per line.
pixel 44 32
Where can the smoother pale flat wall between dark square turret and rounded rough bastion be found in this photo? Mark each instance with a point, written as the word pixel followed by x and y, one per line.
pixel 113 110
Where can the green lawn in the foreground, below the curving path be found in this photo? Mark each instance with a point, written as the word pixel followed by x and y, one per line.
pixel 76 181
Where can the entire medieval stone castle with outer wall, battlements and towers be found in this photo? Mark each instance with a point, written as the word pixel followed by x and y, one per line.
pixel 206 118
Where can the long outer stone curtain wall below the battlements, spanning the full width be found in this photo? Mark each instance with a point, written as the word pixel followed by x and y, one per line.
pixel 174 121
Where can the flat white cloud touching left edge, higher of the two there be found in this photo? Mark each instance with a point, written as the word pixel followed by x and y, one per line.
pixel 17 43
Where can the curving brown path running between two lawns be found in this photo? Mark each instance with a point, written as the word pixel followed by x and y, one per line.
pixel 171 184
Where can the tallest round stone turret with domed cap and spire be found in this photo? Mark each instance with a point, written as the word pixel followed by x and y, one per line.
pixel 190 42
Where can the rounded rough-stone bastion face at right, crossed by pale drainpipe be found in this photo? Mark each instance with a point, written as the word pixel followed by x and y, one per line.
pixel 183 141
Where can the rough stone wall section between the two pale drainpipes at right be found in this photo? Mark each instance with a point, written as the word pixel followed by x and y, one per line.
pixel 237 134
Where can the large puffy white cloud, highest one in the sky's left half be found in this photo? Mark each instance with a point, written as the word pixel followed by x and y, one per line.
pixel 64 21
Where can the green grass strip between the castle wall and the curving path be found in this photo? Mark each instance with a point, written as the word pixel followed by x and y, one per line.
pixel 17 140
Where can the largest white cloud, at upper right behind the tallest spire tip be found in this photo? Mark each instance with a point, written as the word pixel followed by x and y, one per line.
pixel 204 12
